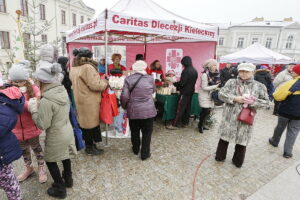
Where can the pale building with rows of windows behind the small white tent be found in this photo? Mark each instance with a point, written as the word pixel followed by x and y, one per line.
pixel 280 36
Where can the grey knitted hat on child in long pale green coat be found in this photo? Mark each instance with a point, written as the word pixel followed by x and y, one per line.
pixel 48 73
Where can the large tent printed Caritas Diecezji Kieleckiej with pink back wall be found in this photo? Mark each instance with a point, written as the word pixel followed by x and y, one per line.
pixel 143 27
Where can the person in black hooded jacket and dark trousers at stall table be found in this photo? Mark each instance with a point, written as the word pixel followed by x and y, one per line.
pixel 186 86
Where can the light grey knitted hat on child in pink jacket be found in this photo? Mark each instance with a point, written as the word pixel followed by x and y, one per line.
pixel 18 72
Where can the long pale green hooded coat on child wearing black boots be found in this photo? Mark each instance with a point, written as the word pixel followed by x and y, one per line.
pixel 53 117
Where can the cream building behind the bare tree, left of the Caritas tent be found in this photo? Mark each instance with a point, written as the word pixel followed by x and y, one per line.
pixel 63 14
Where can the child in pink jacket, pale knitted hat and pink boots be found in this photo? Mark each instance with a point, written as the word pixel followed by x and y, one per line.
pixel 26 131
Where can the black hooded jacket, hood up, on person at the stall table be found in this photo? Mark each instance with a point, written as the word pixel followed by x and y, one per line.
pixel 188 77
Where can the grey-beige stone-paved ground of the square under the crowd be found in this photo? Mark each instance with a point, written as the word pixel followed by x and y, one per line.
pixel 168 174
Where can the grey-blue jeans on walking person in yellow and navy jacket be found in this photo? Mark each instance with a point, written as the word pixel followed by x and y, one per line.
pixel 293 129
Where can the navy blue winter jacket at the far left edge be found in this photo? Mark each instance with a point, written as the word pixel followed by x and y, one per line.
pixel 9 145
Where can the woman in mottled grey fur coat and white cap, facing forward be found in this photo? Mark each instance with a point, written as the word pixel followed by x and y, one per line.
pixel 243 91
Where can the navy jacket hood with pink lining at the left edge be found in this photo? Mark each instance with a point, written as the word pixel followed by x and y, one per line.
pixel 13 97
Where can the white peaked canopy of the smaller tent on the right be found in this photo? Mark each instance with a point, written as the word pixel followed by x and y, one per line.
pixel 258 54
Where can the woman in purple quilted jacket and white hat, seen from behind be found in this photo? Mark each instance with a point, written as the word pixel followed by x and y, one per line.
pixel 137 99
